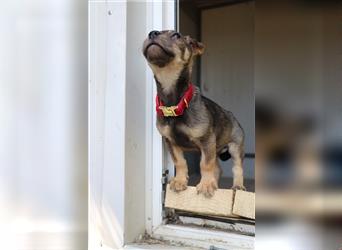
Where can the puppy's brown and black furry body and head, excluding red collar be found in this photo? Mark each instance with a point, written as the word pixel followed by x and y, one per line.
pixel 204 126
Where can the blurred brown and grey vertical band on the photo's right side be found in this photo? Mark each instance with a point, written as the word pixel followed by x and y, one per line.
pixel 298 73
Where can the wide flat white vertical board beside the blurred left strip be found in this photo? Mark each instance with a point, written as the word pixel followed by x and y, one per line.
pixel 107 87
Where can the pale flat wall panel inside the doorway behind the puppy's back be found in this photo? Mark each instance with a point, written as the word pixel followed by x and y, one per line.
pixel 227 68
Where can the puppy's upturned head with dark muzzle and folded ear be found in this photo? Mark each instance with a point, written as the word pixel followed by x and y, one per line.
pixel 162 48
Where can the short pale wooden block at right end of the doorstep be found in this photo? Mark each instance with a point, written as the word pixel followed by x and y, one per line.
pixel 244 204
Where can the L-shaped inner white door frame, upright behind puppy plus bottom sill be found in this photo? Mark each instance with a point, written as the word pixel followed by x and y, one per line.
pixel 163 16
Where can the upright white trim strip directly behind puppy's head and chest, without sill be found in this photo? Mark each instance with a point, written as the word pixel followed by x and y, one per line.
pixel 160 16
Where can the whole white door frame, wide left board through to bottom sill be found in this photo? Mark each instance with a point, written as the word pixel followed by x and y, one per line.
pixel 113 203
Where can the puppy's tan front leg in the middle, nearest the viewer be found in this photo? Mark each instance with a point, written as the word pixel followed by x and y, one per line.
pixel 210 170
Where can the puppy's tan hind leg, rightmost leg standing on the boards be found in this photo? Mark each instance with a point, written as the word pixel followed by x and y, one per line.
pixel 237 153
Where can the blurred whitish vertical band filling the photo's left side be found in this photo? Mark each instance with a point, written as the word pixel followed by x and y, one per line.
pixel 43 124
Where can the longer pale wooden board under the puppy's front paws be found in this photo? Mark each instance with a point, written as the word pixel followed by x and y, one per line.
pixel 220 204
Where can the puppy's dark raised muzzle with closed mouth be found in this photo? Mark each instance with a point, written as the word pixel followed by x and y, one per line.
pixel 157 54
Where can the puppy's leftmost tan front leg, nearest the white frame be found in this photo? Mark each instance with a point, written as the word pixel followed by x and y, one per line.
pixel 180 181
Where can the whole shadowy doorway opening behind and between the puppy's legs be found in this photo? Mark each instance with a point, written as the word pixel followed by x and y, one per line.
pixel 225 72
